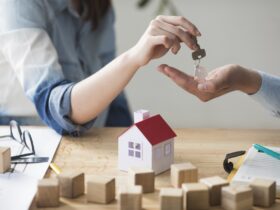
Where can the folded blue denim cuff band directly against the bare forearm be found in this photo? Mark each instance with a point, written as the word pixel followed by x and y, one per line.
pixel 60 109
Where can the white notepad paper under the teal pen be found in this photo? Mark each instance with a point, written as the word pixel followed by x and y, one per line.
pixel 259 165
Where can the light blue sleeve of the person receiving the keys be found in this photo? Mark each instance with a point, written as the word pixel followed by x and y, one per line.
pixel 269 95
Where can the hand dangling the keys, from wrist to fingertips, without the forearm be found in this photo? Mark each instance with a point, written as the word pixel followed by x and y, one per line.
pixel 164 33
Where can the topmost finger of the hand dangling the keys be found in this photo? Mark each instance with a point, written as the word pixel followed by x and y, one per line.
pixel 182 22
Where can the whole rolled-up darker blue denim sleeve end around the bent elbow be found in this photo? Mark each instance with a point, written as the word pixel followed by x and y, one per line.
pixel 52 101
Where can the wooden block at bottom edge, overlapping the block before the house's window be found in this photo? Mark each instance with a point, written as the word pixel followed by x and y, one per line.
pixel 130 197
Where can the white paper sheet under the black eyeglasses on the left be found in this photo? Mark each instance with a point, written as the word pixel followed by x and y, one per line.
pixel 17 189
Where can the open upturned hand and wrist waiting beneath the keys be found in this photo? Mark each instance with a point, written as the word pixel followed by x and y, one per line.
pixel 218 82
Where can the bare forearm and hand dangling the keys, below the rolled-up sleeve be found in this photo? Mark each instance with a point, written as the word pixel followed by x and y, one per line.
pixel 164 33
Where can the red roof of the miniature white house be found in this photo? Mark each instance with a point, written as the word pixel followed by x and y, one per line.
pixel 155 129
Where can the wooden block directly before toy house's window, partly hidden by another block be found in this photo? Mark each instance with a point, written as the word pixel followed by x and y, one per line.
pixel 143 177
